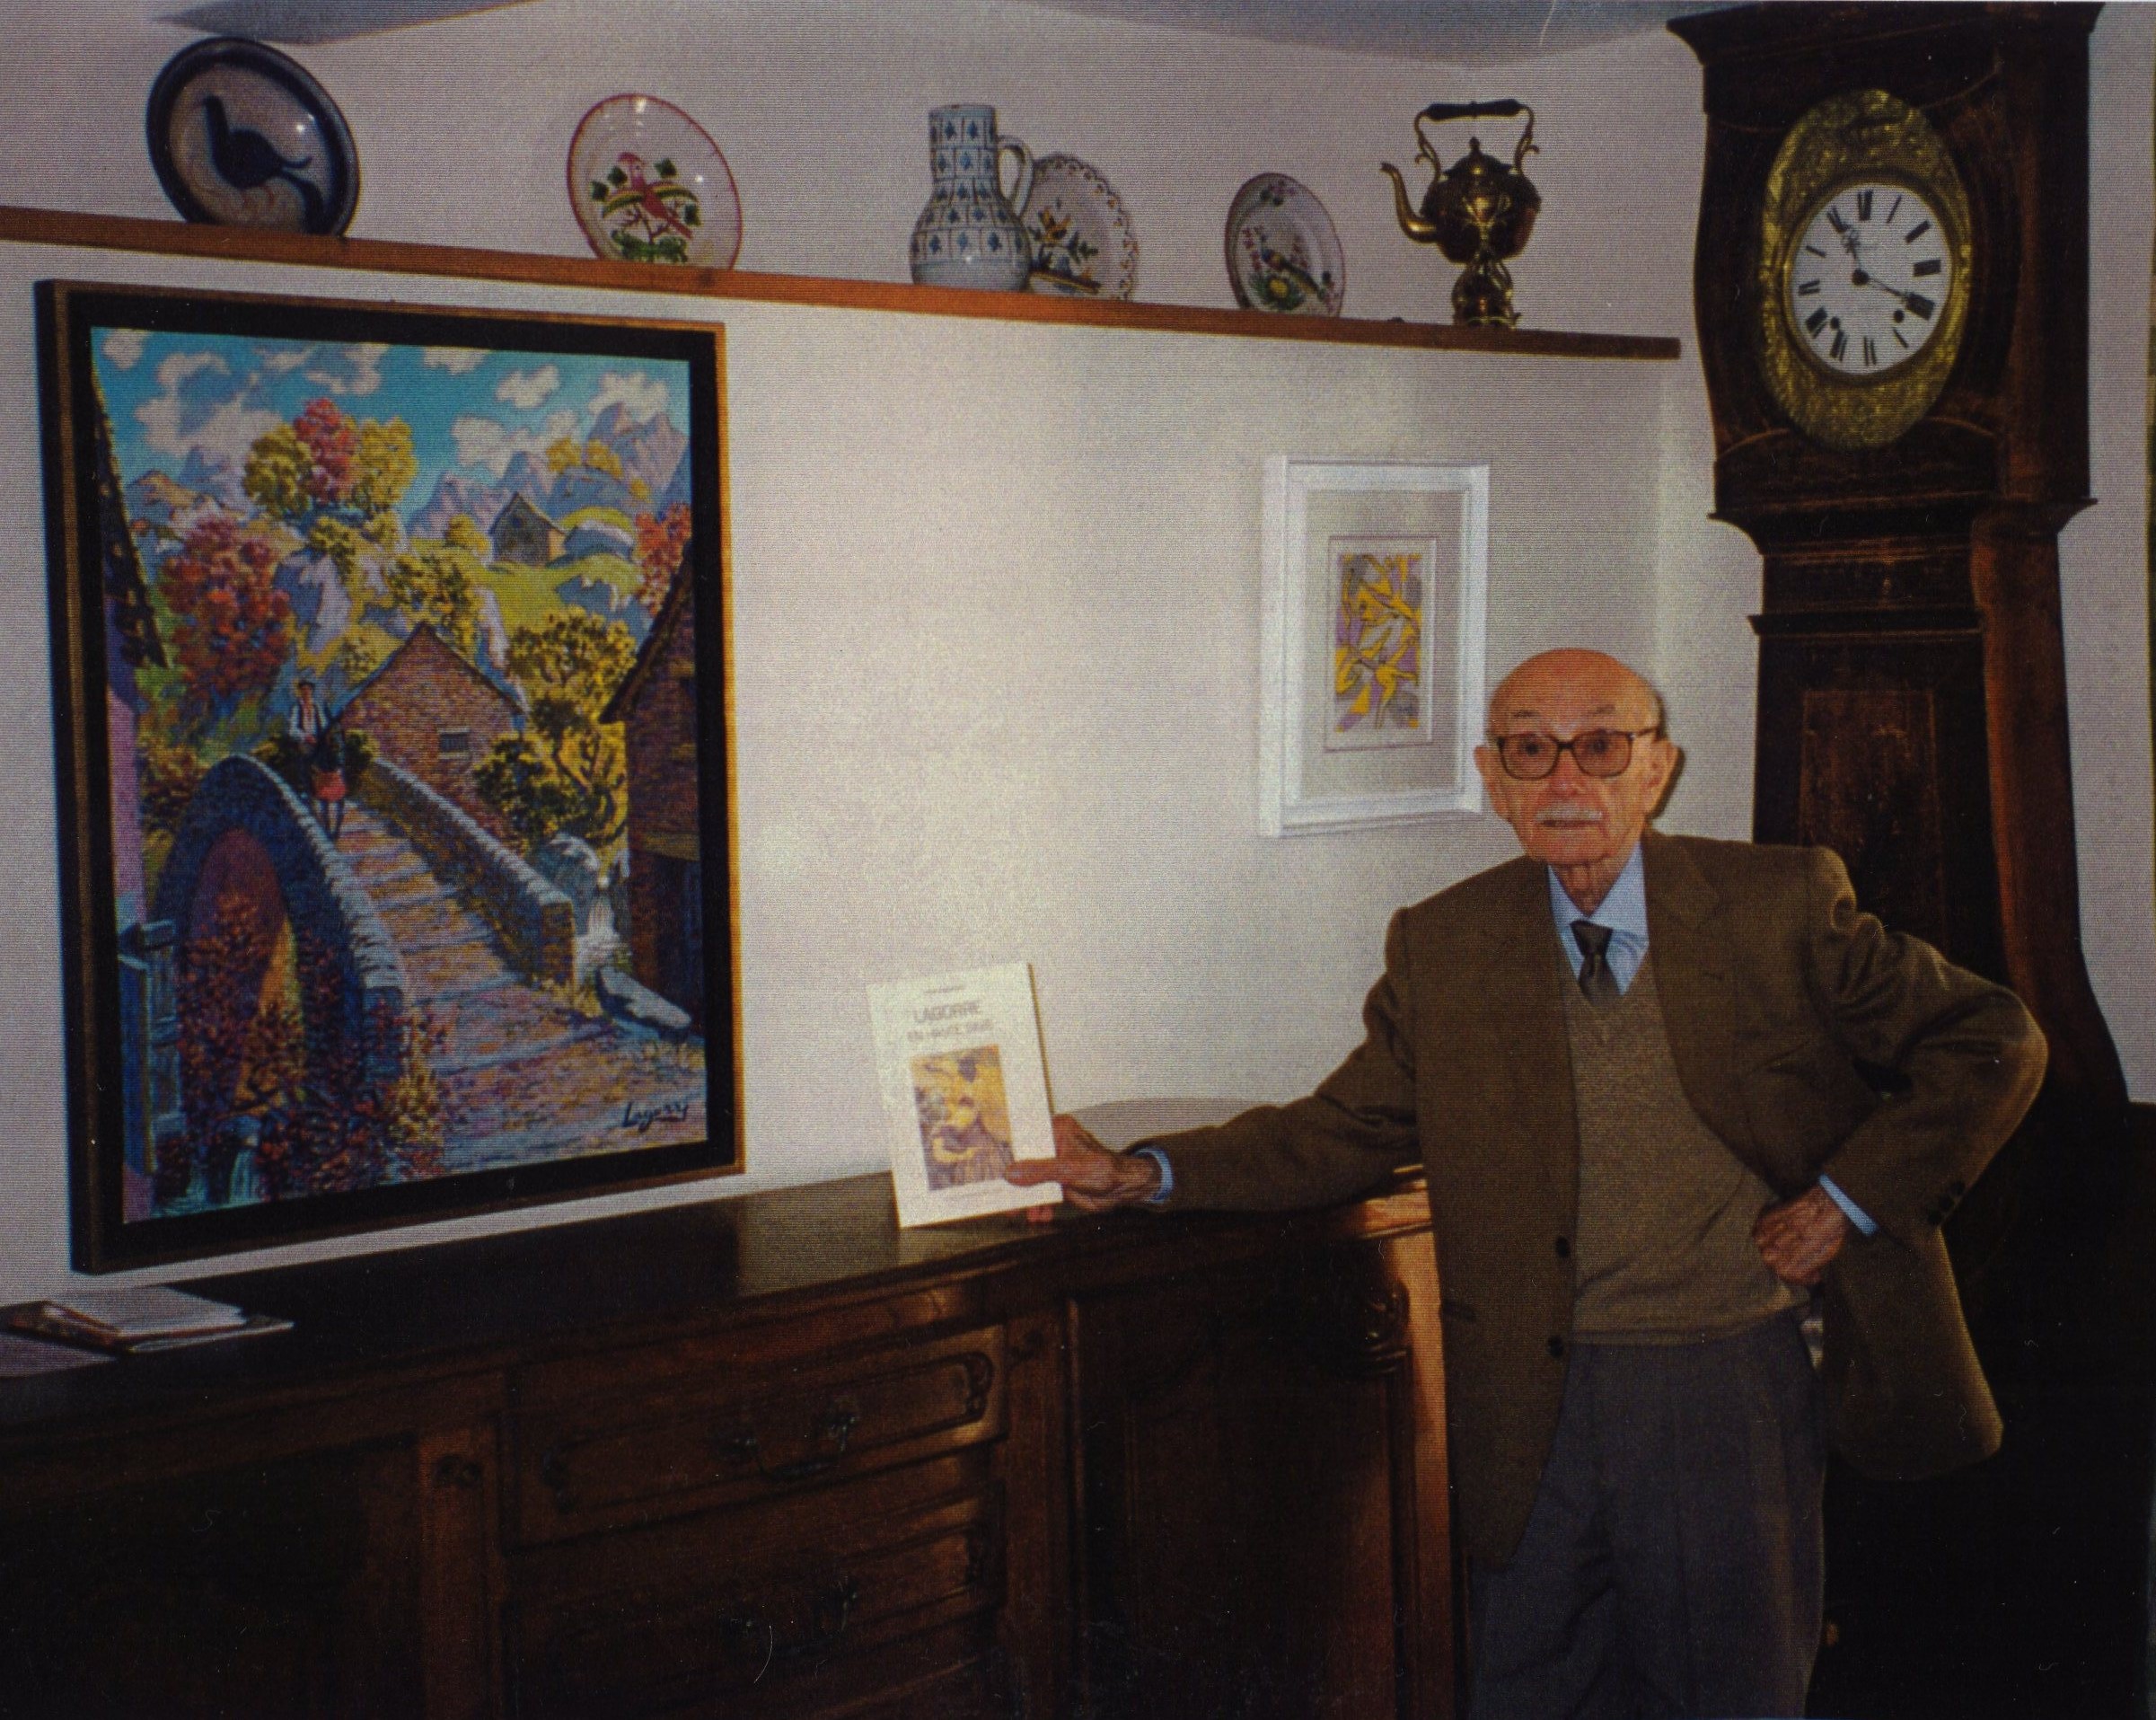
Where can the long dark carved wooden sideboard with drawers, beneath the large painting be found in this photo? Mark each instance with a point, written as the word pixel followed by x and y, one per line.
pixel 764 1456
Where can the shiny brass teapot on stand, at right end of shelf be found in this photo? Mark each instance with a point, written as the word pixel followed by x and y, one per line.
pixel 1478 210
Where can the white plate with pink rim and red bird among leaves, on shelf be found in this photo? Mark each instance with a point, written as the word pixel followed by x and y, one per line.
pixel 650 186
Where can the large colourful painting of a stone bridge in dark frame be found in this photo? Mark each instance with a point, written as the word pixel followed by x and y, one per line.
pixel 391 684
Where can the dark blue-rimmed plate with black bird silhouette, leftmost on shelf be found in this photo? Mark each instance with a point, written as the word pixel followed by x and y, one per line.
pixel 245 137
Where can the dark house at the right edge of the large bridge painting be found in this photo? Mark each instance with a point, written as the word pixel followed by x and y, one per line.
pixel 657 706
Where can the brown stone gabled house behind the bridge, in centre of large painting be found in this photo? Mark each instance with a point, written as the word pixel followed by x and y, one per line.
pixel 432 712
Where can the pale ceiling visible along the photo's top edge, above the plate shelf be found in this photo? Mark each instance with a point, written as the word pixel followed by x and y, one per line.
pixel 1448 31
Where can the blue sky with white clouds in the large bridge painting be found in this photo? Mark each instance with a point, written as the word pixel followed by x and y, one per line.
pixel 469 411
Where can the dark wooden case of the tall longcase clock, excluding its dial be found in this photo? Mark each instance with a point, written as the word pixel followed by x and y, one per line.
pixel 1911 665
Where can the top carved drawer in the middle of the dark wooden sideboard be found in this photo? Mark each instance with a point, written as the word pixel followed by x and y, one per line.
pixel 648 1452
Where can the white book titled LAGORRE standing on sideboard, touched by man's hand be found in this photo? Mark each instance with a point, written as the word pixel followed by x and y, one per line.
pixel 965 1090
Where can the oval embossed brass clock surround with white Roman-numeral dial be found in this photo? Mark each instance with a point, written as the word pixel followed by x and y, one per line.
pixel 1862 273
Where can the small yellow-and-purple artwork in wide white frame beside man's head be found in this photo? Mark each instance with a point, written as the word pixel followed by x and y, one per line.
pixel 1372 643
